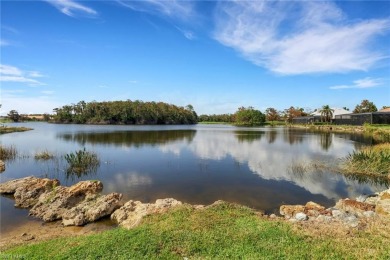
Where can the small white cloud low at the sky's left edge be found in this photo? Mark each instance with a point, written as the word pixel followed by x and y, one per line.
pixel 13 74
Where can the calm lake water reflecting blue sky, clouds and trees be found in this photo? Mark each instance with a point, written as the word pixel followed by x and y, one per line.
pixel 197 164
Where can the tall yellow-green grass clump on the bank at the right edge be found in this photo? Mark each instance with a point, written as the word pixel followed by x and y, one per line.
pixel 374 160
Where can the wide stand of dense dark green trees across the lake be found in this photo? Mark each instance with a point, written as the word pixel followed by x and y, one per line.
pixel 125 112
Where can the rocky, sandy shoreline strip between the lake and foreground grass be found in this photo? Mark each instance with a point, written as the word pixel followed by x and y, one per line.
pixel 347 214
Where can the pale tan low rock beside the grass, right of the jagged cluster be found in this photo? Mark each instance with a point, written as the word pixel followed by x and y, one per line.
pixel 131 214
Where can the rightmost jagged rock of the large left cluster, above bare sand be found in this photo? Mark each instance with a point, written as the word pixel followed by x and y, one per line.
pixel 92 208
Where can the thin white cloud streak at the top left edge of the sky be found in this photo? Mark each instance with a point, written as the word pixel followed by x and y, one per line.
pixel 72 8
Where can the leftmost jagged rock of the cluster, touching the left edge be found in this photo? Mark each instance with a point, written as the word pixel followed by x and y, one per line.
pixel 28 190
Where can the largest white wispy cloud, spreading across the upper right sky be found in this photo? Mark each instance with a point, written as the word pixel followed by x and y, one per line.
pixel 298 37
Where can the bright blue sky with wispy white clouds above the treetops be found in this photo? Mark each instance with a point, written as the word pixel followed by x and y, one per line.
pixel 215 55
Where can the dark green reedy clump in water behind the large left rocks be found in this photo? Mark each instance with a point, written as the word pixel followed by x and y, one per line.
pixel 82 161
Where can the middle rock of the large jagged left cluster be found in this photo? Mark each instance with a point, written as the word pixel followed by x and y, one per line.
pixel 52 205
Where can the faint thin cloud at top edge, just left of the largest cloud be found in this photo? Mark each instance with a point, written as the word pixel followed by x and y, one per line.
pixel 174 8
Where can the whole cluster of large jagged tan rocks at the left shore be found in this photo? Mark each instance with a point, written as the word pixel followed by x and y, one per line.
pixel 75 205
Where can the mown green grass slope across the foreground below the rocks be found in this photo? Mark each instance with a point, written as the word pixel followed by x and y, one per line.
pixel 225 231
